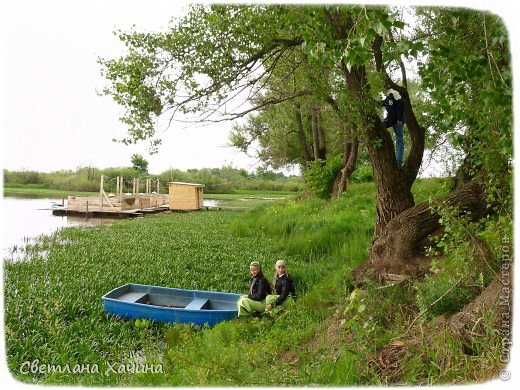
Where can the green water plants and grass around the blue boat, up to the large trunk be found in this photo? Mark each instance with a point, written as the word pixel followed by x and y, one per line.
pixel 54 312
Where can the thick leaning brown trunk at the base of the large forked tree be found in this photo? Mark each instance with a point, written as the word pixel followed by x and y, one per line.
pixel 399 249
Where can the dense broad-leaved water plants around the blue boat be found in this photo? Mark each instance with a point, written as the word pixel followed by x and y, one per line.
pixel 53 308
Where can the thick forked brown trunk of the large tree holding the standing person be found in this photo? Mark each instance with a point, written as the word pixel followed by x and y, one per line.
pixel 400 226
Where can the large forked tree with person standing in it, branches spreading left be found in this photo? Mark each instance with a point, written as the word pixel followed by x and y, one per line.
pixel 213 55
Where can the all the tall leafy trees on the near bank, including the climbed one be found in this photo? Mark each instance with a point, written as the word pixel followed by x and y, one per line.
pixel 313 77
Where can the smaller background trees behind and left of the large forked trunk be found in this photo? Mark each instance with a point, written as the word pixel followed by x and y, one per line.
pixel 305 131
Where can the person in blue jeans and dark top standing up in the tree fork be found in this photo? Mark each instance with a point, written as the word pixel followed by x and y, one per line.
pixel 395 118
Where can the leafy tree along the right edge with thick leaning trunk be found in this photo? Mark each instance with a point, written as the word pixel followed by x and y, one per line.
pixel 467 78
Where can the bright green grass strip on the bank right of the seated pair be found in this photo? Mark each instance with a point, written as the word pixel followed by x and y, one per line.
pixel 323 241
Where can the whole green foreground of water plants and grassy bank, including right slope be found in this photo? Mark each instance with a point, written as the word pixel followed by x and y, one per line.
pixel 332 336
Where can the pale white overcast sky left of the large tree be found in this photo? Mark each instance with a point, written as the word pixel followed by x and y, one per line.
pixel 51 116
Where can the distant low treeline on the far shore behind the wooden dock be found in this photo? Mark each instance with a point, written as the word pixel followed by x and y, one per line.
pixel 216 180
